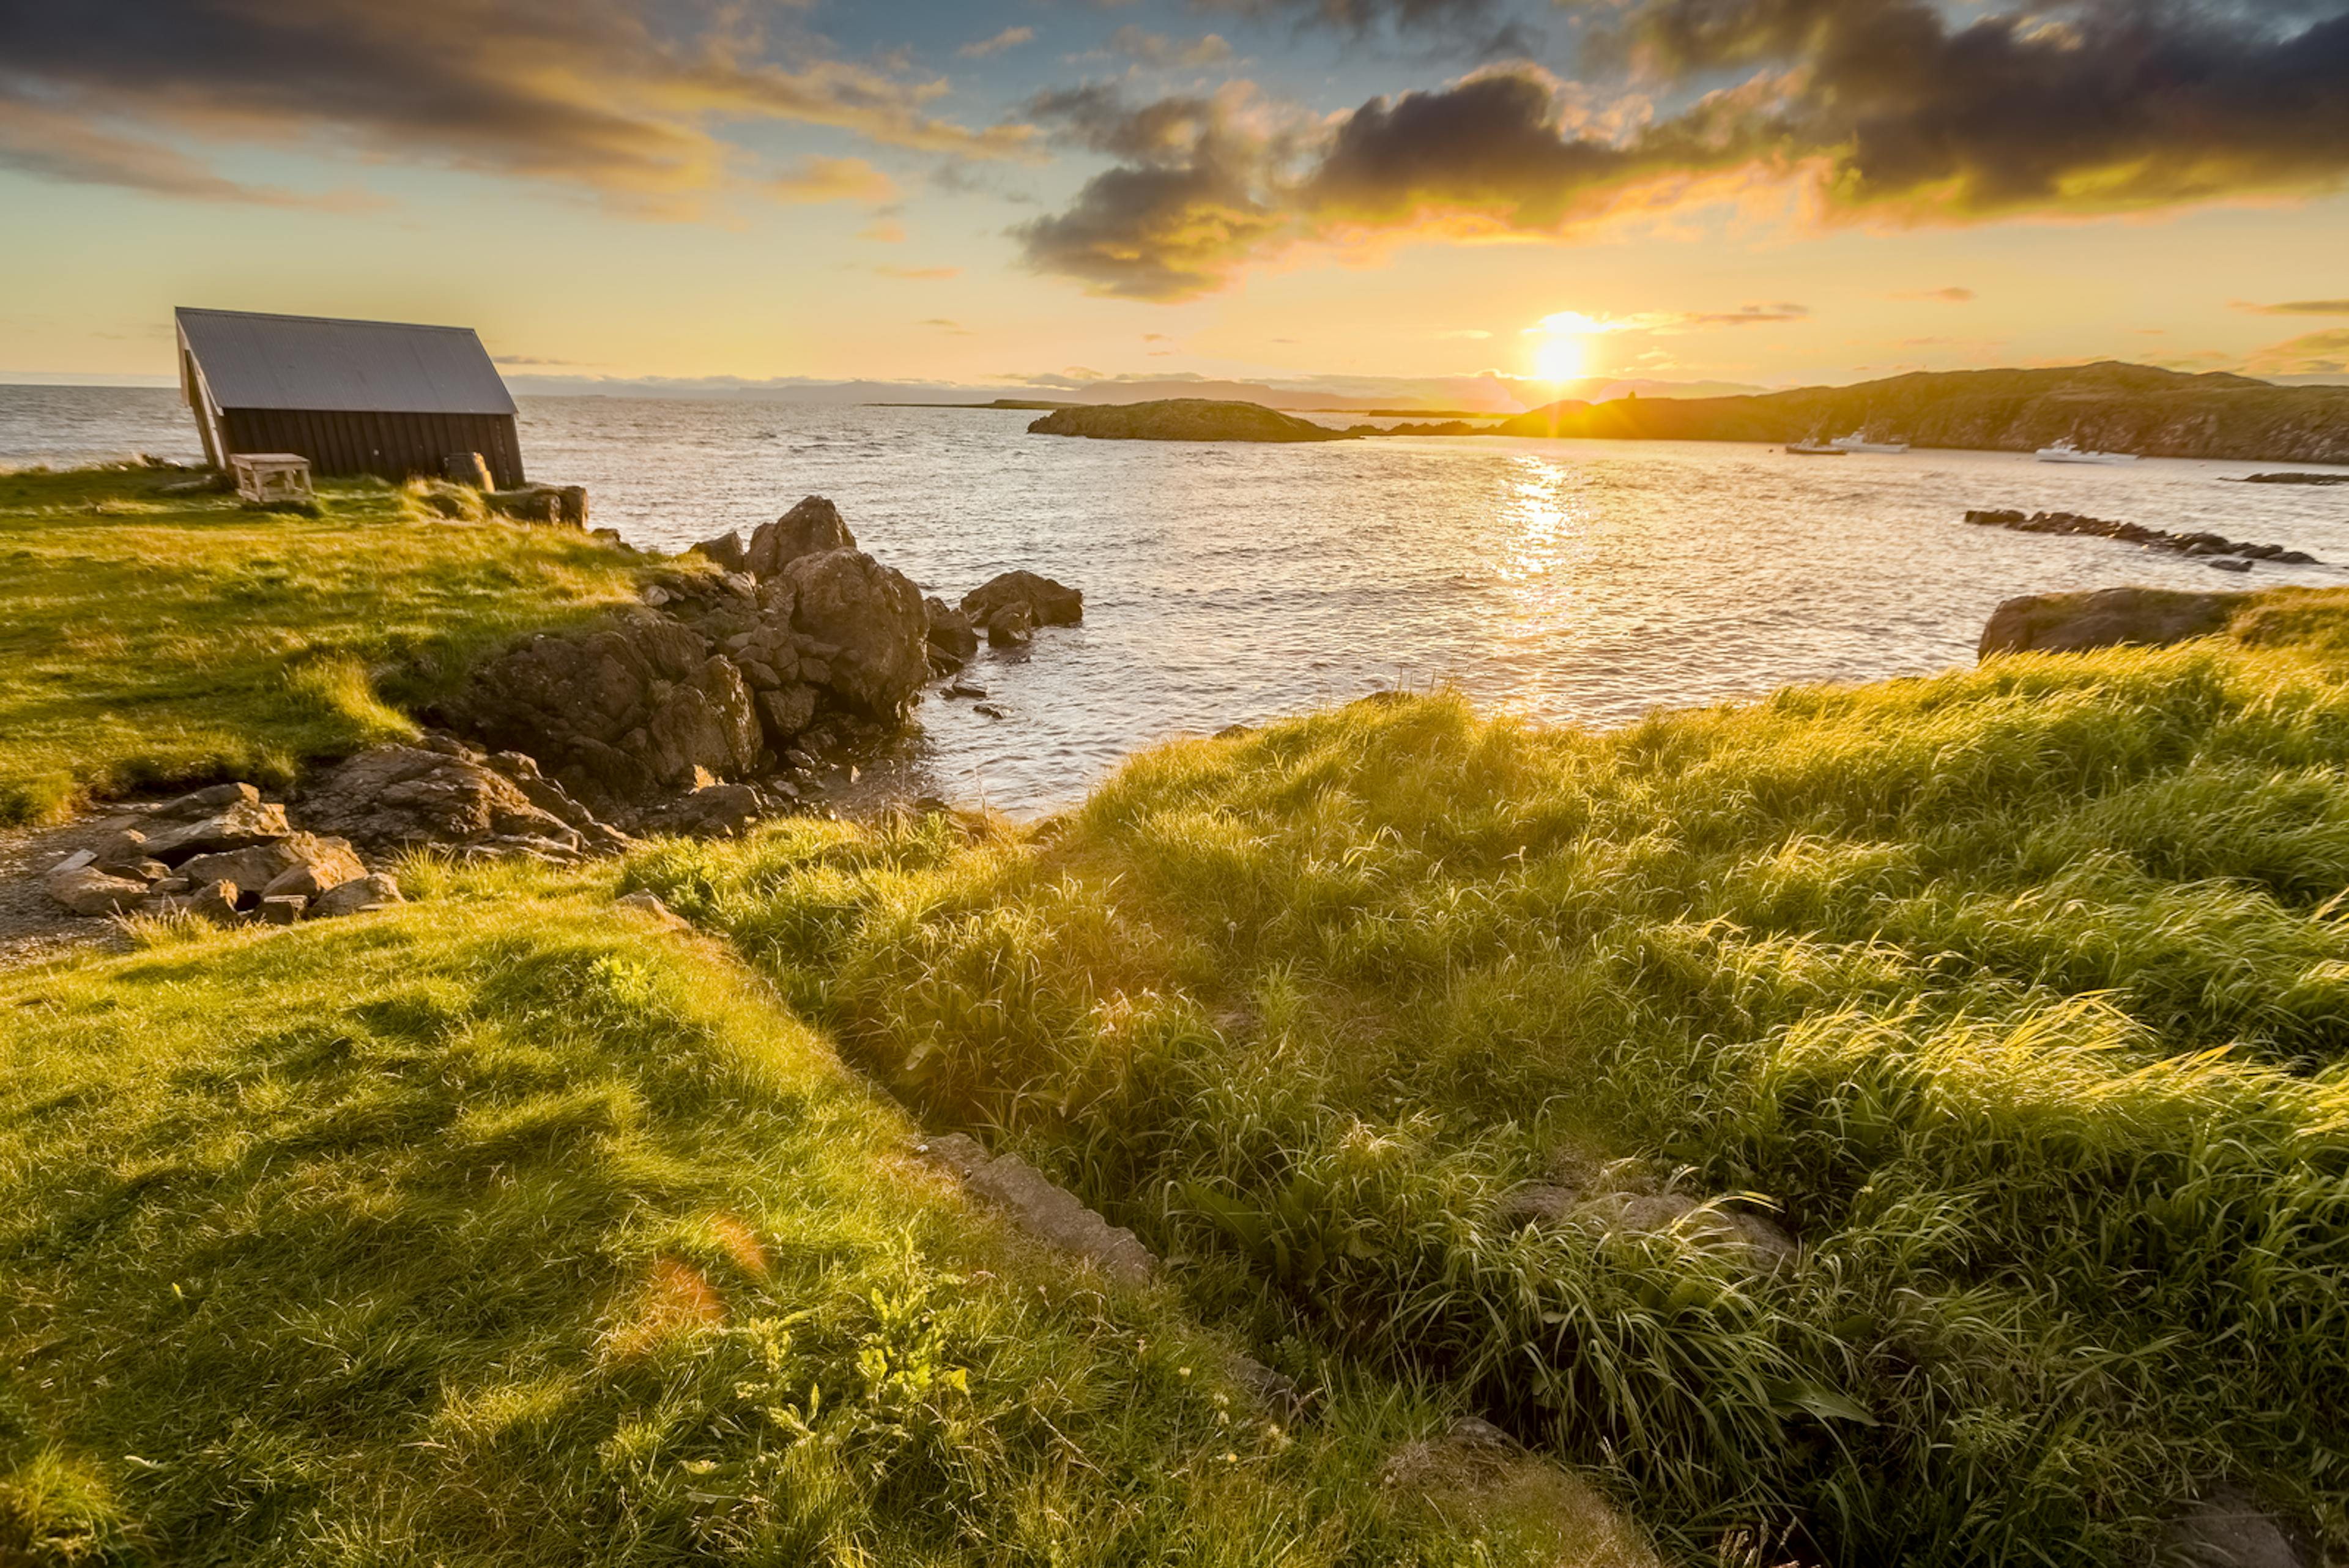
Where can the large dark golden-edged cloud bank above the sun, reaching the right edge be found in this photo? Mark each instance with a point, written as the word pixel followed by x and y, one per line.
pixel 1878 109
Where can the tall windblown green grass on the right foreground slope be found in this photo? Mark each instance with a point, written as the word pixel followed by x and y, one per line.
pixel 2021 996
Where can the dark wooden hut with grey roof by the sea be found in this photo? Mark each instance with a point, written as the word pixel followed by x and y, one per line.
pixel 356 398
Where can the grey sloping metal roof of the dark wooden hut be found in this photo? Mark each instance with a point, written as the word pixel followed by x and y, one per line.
pixel 356 368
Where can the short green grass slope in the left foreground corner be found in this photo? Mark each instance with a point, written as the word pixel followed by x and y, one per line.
pixel 509 1231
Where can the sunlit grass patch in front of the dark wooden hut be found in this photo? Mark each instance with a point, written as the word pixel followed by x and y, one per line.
pixel 168 641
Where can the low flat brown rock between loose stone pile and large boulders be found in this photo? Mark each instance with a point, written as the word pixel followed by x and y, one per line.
pixel 405 796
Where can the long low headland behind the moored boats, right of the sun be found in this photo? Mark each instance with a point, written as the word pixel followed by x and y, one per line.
pixel 2108 406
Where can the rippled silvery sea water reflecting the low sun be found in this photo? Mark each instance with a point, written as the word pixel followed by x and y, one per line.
pixel 1580 582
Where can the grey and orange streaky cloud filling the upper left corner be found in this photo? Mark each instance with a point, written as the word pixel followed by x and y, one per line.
pixel 603 95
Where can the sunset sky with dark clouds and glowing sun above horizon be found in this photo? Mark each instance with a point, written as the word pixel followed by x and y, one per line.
pixel 1051 194
